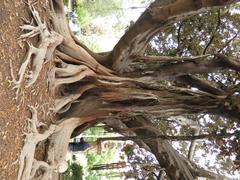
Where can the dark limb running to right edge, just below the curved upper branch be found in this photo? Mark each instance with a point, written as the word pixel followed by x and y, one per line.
pixel 160 68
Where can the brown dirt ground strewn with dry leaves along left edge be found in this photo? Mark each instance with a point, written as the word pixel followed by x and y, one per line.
pixel 13 114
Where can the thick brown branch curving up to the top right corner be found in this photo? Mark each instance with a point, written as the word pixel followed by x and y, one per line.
pixel 158 15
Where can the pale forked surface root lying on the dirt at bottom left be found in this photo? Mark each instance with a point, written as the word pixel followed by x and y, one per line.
pixel 27 164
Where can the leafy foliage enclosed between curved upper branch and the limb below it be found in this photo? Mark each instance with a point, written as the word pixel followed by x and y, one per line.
pixel 204 33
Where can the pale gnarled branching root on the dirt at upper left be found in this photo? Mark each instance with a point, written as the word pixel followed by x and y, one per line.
pixel 36 56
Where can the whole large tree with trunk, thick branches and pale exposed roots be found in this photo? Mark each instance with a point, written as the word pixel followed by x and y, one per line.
pixel 121 88
